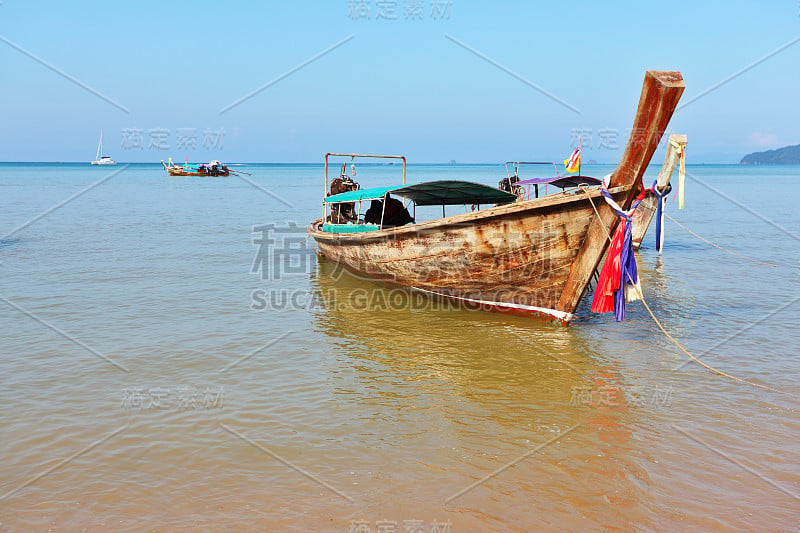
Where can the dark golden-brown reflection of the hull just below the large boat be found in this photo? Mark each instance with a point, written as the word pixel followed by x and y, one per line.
pixel 480 353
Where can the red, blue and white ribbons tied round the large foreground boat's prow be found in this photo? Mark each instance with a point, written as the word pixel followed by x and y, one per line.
pixel 619 278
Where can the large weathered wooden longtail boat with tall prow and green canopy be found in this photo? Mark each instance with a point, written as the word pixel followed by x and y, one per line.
pixel 533 256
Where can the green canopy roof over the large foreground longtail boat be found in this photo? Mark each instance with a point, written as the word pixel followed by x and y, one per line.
pixel 445 192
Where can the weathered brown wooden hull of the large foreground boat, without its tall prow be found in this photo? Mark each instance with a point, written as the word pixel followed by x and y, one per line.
pixel 515 257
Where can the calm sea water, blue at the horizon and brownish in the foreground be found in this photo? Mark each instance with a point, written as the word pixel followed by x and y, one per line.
pixel 174 357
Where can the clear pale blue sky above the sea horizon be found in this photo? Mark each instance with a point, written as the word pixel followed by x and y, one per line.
pixel 395 85
